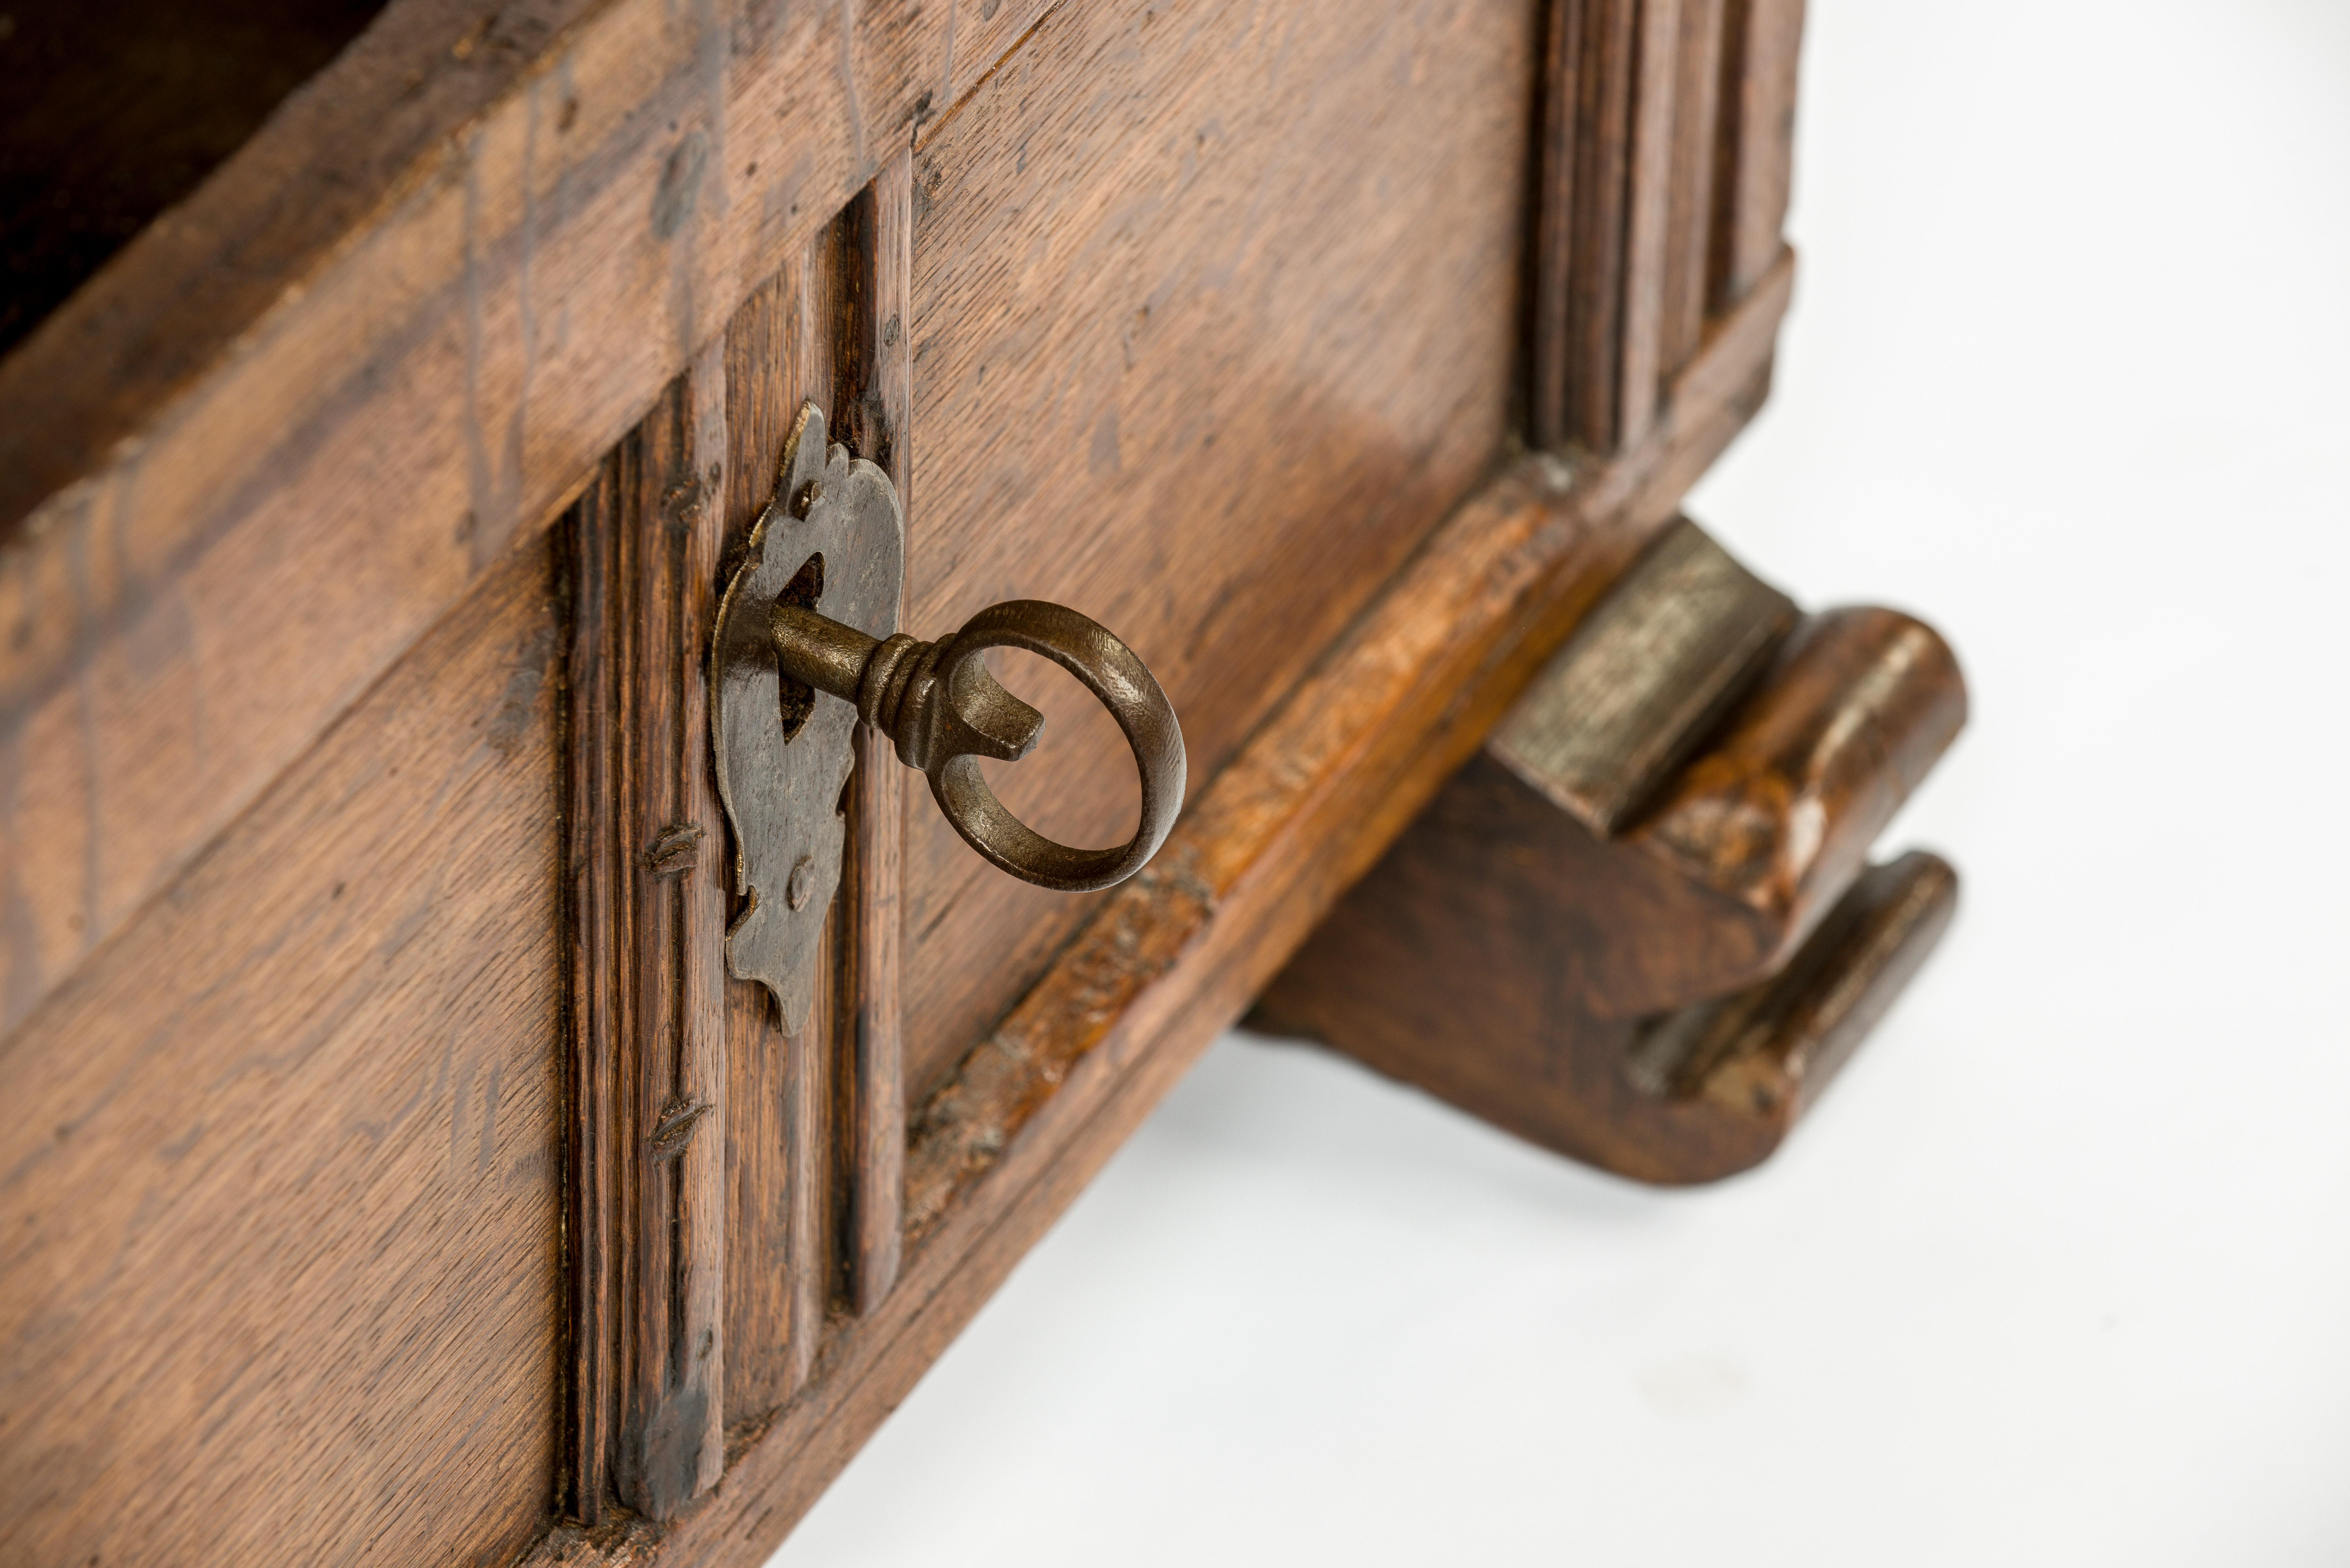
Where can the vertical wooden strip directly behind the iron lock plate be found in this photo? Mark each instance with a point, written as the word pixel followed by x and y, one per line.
pixel 817 1148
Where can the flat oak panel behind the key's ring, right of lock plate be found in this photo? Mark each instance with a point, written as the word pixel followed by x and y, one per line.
pixel 1209 302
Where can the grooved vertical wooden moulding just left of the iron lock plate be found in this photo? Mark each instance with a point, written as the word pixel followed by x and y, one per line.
pixel 647 1010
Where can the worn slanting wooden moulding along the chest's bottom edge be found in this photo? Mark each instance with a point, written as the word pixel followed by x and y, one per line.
pixel 1179 953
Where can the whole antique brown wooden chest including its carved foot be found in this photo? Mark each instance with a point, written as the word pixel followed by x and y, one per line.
pixel 394 1167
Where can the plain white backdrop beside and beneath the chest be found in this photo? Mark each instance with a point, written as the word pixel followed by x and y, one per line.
pixel 2060 1273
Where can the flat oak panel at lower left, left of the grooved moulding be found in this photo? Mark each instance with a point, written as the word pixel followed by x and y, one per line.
pixel 281 1195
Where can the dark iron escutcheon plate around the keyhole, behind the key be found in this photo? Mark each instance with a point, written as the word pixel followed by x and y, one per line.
pixel 835 542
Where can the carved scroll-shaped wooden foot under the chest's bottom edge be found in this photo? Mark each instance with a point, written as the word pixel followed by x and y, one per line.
pixel 1641 925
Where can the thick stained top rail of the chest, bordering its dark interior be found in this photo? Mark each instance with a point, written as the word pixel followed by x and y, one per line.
pixel 384 342
